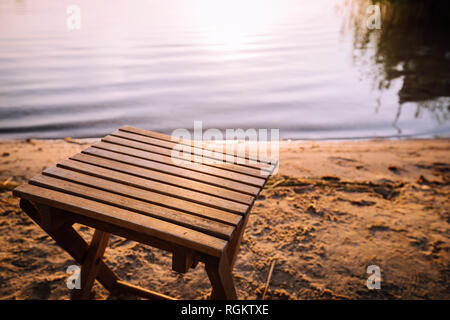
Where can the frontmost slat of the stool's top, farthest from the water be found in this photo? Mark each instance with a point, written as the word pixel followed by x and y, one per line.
pixel 137 222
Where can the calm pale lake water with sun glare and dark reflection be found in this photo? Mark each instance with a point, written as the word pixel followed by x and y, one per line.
pixel 309 68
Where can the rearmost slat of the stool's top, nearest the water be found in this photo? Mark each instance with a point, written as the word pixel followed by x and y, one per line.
pixel 201 149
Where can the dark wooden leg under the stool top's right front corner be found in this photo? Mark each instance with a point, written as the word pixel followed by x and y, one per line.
pixel 219 273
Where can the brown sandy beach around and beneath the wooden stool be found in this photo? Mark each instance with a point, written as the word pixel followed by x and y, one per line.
pixel 334 209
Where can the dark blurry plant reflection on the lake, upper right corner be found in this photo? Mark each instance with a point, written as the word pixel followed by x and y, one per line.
pixel 412 45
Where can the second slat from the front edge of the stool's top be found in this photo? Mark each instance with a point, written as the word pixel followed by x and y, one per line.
pixel 201 224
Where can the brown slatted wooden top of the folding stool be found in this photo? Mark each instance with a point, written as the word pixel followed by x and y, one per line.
pixel 129 179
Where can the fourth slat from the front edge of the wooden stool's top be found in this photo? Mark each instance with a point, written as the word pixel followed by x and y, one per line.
pixel 190 198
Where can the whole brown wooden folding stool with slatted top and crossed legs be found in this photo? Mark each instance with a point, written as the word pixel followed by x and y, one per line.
pixel 128 184
